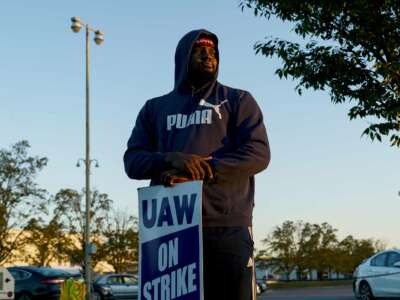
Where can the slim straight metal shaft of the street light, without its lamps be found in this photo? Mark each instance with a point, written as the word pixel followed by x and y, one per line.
pixel 88 268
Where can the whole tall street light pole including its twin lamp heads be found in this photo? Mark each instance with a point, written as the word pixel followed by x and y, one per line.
pixel 76 26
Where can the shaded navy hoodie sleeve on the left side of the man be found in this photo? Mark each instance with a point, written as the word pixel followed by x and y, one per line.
pixel 141 159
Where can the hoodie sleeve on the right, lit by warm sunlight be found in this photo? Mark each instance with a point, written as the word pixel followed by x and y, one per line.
pixel 251 153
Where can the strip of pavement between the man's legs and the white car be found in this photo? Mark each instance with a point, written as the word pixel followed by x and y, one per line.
pixel 314 293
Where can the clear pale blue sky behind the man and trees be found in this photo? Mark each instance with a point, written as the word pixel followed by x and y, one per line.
pixel 321 170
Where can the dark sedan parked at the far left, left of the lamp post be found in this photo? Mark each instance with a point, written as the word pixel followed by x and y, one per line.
pixel 42 283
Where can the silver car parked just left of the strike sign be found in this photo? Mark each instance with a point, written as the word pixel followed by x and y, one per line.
pixel 116 286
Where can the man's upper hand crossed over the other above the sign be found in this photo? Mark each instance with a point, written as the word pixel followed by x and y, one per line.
pixel 195 165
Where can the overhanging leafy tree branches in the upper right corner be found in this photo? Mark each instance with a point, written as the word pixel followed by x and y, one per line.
pixel 351 48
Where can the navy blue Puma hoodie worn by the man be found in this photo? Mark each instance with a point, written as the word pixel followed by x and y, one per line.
pixel 219 121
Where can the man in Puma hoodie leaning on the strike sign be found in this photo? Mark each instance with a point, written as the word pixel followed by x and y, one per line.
pixel 203 130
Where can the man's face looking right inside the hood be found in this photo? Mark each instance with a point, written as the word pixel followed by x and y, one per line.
pixel 203 61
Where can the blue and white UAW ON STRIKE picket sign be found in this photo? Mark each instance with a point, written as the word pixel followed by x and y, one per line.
pixel 170 242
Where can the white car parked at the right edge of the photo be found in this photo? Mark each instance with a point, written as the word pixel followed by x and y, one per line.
pixel 378 276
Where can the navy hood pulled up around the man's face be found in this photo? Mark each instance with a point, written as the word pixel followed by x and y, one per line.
pixel 182 56
